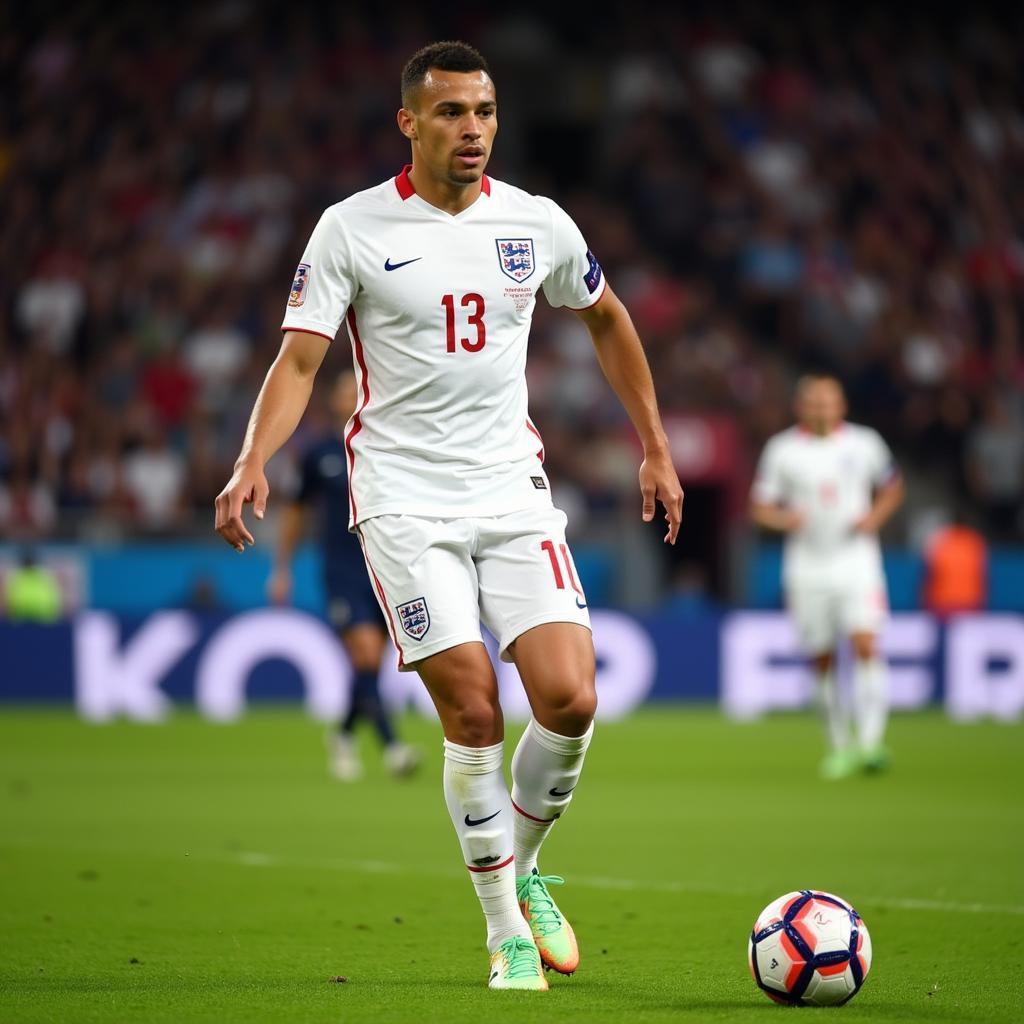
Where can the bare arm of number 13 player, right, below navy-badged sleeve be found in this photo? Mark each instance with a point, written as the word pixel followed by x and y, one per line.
pixel 624 364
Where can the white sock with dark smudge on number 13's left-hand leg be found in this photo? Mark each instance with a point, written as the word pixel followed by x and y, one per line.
pixel 479 802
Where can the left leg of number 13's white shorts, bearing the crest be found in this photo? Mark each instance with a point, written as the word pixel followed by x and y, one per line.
pixel 425 580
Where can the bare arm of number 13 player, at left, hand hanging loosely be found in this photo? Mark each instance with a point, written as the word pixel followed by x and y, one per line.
pixel 280 406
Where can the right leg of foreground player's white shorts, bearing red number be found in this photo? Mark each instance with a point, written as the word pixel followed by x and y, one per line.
pixel 527 575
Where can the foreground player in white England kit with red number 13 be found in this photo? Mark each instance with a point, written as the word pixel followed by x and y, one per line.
pixel 436 274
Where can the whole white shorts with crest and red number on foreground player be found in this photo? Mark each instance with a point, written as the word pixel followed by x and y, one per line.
pixel 437 580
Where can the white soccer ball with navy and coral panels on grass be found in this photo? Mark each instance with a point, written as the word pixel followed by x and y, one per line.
pixel 809 949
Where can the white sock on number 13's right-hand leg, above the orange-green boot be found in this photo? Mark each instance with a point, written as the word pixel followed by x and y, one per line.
pixel 545 772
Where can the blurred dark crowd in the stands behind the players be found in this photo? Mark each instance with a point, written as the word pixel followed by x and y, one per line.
pixel 767 194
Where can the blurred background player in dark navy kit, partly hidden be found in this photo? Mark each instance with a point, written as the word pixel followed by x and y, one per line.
pixel 353 607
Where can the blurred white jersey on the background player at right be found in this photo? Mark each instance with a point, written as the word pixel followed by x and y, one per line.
pixel 830 482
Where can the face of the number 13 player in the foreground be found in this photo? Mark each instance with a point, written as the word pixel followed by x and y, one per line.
pixel 453 124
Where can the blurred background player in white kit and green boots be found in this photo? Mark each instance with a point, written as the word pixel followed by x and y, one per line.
pixel 830 487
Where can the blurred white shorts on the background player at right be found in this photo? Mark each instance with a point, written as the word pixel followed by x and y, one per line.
pixel 824 616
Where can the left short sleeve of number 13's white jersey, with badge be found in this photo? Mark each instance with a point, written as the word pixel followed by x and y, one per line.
pixel 325 282
